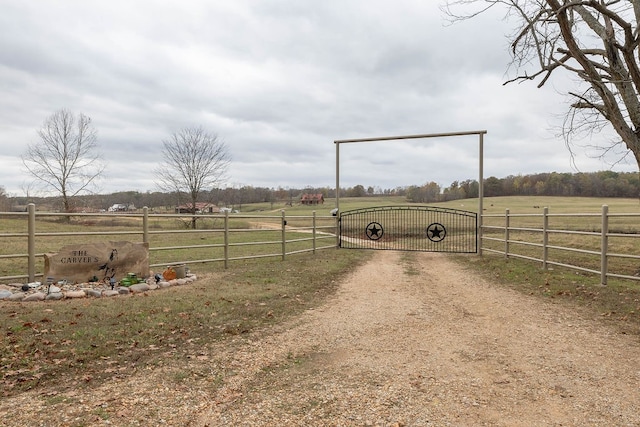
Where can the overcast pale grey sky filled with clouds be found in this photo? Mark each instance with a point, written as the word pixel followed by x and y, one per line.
pixel 278 81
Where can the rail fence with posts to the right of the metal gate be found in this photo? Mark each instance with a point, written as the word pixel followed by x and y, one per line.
pixel 598 243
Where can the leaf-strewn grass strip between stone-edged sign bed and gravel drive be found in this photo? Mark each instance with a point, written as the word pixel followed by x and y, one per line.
pixel 78 342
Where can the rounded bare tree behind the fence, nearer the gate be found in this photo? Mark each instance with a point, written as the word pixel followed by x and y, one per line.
pixel 194 160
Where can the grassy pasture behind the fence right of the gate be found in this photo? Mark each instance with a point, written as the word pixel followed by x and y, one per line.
pixel 566 217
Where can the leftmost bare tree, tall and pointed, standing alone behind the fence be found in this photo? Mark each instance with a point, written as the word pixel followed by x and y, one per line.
pixel 66 158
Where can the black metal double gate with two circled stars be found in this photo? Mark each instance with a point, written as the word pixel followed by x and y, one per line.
pixel 410 228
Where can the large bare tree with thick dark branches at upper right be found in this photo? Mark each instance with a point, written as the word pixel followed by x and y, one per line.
pixel 596 41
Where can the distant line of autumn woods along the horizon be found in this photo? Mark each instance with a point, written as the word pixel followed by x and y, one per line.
pixel 584 184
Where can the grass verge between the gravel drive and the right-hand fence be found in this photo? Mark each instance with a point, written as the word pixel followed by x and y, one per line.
pixel 618 302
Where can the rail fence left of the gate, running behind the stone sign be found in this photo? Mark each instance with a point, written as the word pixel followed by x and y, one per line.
pixel 223 238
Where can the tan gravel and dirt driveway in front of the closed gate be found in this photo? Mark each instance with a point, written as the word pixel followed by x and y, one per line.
pixel 411 340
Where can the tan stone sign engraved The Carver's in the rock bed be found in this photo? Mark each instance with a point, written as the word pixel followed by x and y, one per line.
pixel 84 262
